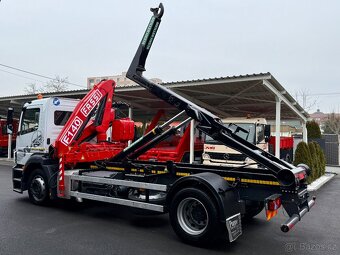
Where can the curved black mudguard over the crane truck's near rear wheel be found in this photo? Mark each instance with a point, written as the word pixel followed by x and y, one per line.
pixel 225 196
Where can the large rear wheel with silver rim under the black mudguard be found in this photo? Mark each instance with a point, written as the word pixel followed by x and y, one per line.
pixel 194 217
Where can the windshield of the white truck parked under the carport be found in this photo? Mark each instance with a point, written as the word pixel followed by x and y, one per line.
pixel 249 135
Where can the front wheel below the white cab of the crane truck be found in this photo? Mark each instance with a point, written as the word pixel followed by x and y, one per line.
pixel 38 189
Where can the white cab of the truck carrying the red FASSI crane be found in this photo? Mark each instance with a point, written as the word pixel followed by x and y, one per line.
pixel 40 123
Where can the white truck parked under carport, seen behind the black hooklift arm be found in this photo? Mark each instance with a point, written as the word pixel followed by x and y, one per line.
pixel 254 130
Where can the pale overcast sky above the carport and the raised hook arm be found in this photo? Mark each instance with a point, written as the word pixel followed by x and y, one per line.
pixel 297 41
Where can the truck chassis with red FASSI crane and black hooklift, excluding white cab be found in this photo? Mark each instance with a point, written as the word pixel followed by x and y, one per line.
pixel 204 202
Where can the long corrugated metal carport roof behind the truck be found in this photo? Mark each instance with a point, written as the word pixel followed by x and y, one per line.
pixel 254 94
